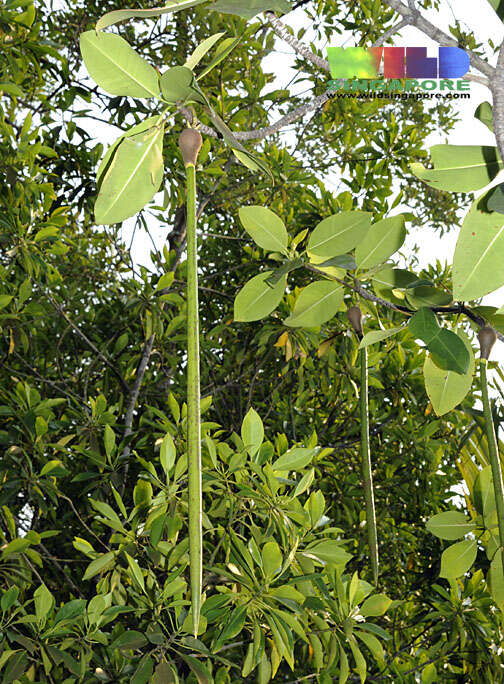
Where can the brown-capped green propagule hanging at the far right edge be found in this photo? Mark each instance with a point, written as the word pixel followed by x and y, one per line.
pixel 487 338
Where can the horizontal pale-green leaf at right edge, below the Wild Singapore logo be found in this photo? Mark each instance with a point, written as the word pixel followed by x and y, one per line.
pixel 459 168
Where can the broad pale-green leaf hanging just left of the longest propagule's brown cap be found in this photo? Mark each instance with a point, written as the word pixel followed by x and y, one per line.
pixel 132 178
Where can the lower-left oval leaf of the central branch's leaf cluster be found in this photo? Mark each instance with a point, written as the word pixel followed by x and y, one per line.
pixel 257 299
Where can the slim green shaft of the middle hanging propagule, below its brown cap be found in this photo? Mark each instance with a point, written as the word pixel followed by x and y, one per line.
pixel 367 476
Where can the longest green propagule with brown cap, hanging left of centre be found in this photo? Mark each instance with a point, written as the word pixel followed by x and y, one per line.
pixel 190 145
